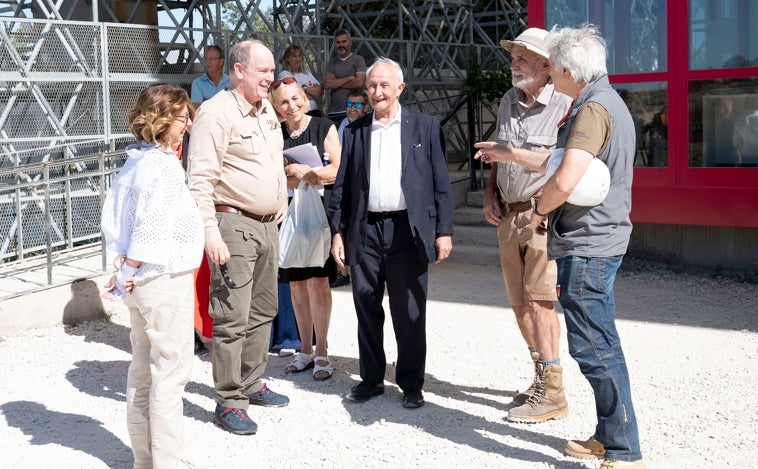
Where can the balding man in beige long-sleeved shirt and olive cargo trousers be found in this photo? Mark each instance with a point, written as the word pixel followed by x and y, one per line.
pixel 237 178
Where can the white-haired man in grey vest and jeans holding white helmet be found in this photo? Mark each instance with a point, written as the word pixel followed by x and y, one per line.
pixel 589 243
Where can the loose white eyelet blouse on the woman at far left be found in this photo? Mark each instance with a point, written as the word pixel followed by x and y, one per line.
pixel 150 216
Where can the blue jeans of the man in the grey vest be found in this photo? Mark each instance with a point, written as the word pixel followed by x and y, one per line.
pixel 589 308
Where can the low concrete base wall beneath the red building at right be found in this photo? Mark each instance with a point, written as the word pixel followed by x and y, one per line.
pixel 702 246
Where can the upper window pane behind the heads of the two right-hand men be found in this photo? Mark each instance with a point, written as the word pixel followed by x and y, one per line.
pixel 634 29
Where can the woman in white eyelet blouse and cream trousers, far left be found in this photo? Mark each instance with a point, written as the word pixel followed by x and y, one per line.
pixel 152 226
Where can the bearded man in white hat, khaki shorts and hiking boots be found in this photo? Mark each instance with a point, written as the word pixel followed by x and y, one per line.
pixel 527 119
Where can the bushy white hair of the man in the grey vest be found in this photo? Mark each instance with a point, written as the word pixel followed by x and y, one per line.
pixel 581 50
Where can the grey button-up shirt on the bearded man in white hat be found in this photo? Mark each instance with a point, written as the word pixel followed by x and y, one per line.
pixel 532 128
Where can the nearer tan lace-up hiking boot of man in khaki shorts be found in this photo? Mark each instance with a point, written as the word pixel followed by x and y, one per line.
pixel 547 402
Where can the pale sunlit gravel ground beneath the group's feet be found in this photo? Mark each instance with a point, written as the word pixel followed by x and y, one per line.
pixel 690 341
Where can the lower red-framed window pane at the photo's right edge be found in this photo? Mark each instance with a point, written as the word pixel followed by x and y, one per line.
pixel 723 122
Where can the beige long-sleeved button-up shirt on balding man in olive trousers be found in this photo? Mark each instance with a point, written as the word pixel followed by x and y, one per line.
pixel 235 158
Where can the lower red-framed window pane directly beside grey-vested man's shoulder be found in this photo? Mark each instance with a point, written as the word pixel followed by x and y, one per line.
pixel 647 103
